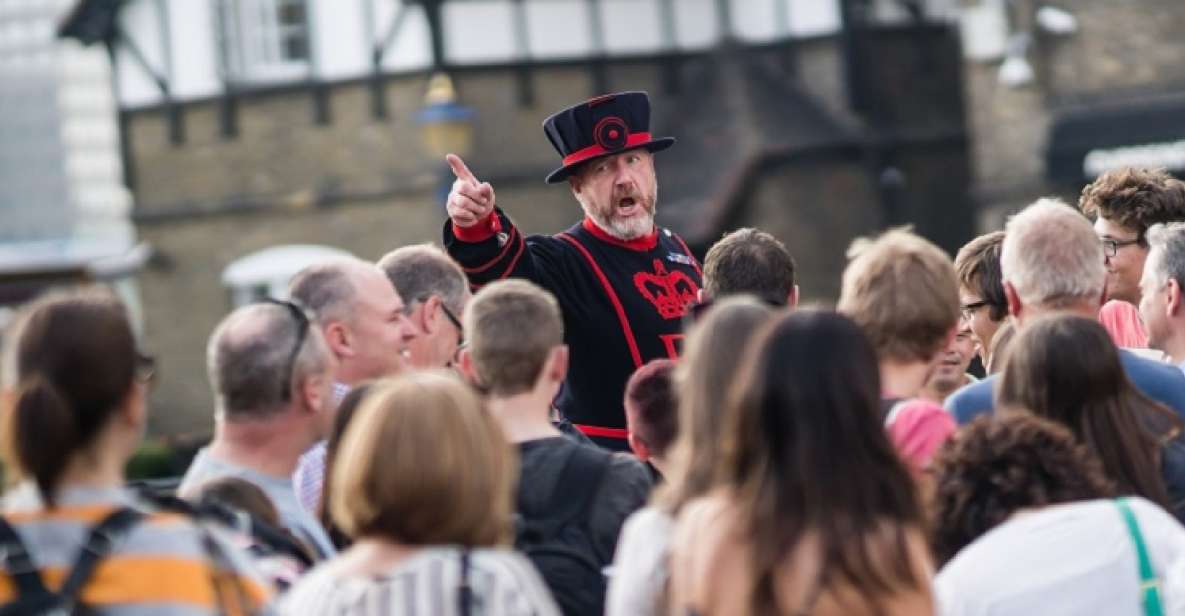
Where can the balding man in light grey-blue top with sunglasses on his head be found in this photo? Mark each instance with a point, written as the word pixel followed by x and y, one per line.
pixel 272 376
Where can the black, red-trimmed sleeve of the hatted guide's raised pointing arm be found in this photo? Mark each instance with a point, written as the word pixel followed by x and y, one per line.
pixel 496 249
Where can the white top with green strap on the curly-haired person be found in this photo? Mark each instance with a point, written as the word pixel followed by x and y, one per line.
pixel 1067 560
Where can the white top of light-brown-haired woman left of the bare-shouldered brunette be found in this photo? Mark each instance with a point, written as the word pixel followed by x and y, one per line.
pixel 640 572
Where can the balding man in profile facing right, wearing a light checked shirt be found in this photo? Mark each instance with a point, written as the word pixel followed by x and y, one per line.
pixel 366 325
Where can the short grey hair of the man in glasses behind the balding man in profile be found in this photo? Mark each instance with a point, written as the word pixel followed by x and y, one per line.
pixel 424 271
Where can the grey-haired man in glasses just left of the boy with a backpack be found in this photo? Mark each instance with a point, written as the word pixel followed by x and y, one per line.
pixel 437 292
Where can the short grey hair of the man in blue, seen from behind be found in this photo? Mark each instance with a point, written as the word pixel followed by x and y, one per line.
pixel 1052 255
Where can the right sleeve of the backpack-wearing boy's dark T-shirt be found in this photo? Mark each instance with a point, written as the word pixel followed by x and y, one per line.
pixel 625 490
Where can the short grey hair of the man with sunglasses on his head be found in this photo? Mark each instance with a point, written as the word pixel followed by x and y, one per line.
pixel 247 361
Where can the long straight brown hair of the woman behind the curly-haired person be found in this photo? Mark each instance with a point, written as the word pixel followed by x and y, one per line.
pixel 1068 370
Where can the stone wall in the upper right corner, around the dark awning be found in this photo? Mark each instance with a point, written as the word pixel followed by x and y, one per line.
pixel 1122 53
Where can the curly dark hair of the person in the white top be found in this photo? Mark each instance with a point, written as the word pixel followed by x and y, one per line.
pixel 997 466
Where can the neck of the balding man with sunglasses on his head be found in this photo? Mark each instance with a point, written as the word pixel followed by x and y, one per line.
pixel 265 446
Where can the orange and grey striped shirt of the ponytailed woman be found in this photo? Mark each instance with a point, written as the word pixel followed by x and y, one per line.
pixel 159 568
